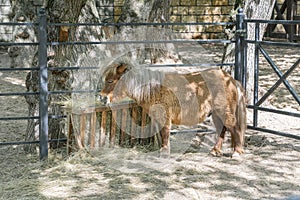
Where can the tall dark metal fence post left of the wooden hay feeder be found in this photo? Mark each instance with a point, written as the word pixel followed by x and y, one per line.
pixel 43 84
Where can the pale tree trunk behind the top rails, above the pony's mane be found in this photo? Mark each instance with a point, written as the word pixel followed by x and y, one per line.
pixel 156 11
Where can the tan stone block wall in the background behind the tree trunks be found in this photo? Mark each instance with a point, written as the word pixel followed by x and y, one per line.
pixel 180 11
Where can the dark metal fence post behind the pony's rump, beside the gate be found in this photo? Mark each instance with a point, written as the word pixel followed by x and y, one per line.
pixel 240 67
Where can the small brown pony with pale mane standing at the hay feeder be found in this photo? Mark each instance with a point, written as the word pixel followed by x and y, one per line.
pixel 181 99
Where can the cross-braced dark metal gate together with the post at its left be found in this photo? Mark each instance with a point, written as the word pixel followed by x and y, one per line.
pixel 256 105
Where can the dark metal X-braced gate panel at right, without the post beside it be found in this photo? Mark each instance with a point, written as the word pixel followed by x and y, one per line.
pixel 256 105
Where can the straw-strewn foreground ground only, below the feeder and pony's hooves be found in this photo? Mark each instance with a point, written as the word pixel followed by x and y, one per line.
pixel 122 173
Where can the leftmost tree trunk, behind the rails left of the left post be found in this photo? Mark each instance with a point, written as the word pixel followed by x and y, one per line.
pixel 26 56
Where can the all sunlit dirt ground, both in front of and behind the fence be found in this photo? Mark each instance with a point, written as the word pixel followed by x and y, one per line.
pixel 269 169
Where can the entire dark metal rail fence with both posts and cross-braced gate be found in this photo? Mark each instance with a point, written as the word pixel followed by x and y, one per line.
pixel 240 41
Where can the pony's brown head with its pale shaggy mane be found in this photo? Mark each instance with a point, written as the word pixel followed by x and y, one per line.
pixel 125 79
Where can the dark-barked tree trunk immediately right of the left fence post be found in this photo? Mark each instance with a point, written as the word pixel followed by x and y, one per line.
pixel 66 11
